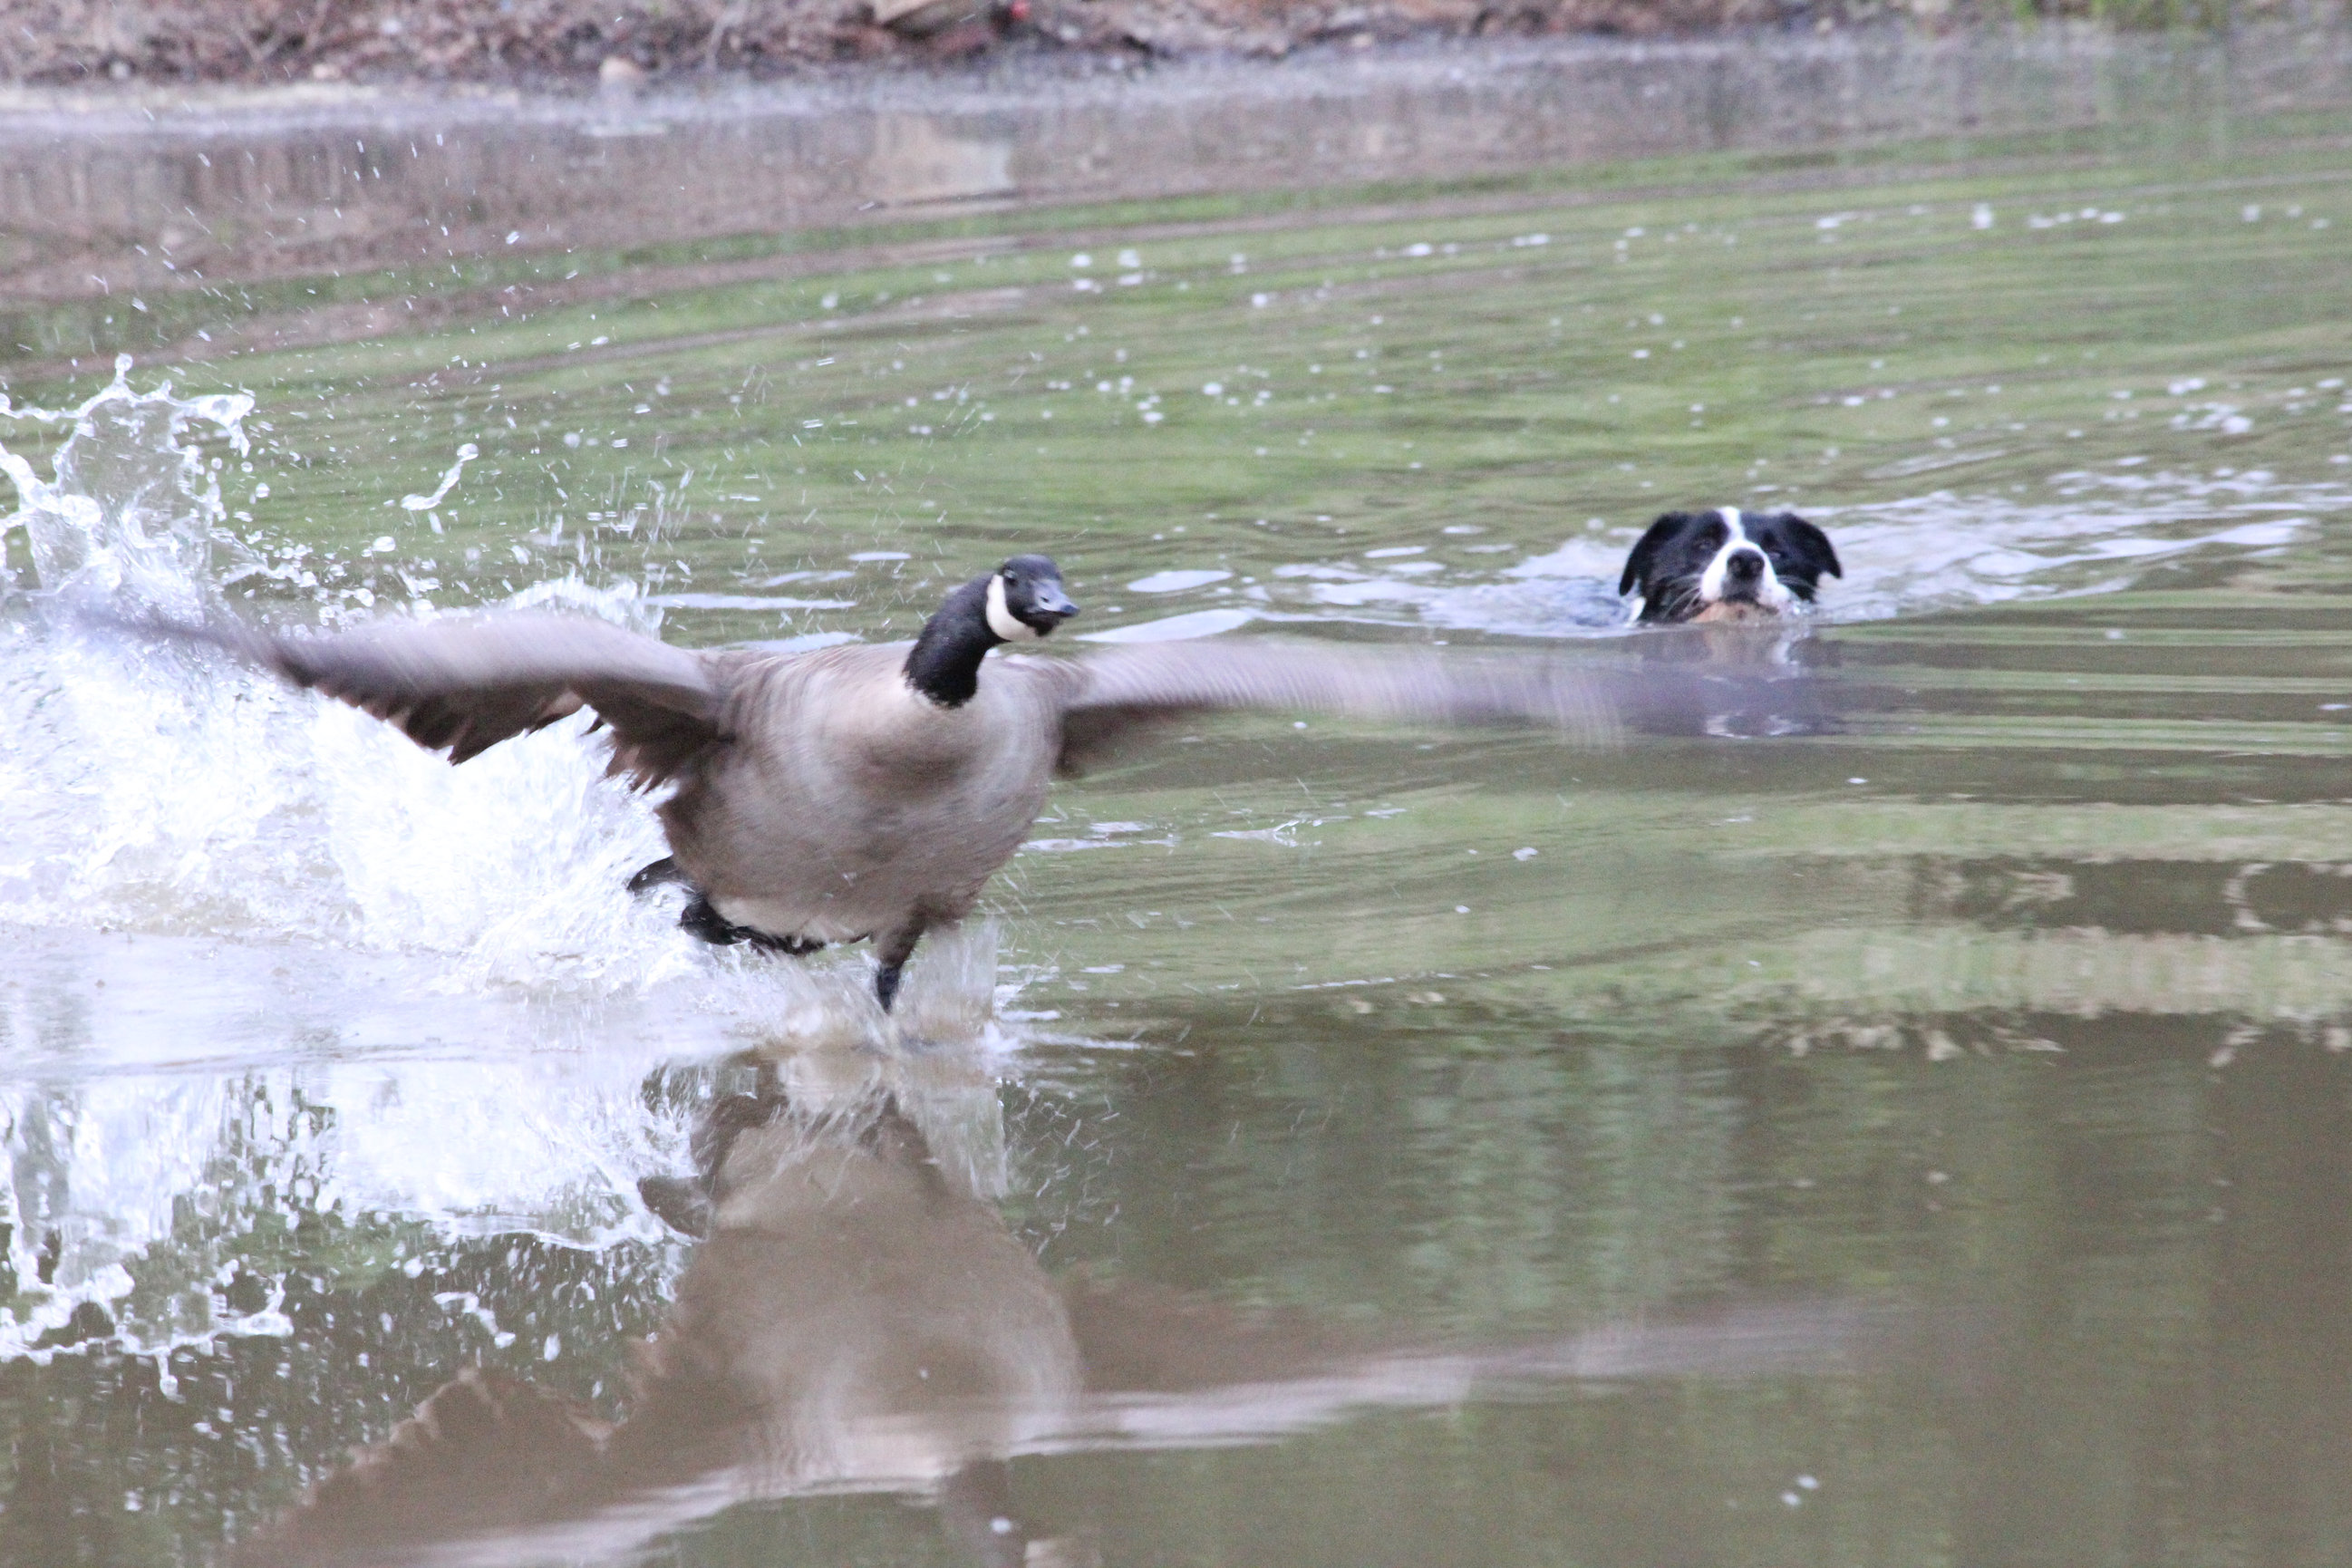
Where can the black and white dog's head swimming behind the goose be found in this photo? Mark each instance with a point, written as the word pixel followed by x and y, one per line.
pixel 1725 565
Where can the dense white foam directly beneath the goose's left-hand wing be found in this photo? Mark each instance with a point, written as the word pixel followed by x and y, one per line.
pixel 180 796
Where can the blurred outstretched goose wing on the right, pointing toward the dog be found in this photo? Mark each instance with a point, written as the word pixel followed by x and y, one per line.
pixel 1116 690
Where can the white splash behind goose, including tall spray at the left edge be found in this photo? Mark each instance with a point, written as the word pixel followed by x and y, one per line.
pixel 178 796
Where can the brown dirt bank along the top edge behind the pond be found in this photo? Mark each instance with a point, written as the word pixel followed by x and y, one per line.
pixel 624 41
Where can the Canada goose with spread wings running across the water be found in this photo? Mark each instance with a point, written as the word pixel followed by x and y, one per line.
pixel 874 789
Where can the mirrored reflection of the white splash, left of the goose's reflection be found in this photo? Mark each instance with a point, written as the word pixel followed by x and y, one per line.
pixel 145 1198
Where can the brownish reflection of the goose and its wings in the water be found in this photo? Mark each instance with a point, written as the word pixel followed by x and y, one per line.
pixel 857 1318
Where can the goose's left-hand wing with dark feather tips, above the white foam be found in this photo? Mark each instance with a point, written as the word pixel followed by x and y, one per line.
pixel 462 685
